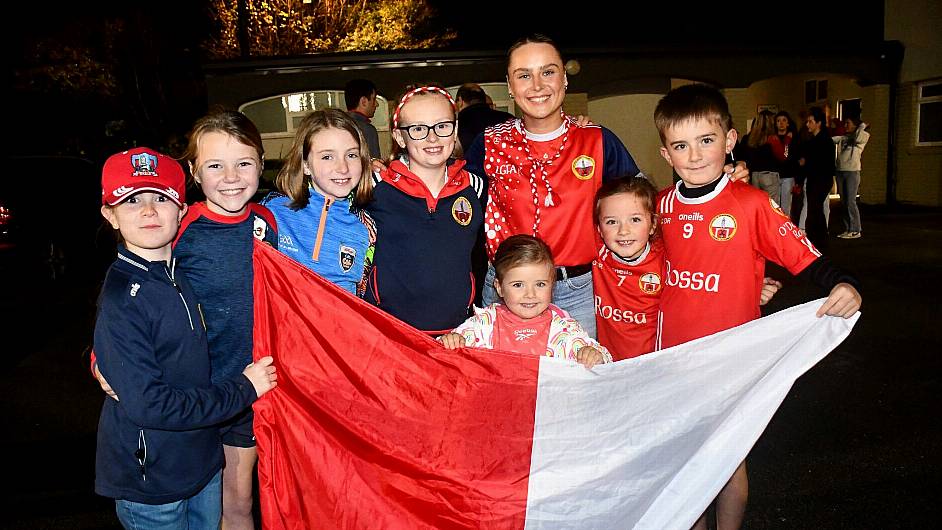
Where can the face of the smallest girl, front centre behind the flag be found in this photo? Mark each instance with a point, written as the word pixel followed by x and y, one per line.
pixel 527 289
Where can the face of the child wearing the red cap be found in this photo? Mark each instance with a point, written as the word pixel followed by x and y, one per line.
pixel 148 223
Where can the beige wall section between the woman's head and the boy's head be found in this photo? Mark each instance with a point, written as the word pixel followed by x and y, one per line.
pixel 631 118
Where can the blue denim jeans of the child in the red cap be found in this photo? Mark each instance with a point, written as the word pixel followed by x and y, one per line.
pixel 203 510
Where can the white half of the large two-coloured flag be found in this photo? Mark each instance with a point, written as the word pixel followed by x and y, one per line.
pixel 649 442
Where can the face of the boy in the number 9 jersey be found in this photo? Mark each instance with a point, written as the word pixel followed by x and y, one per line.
pixel 696 148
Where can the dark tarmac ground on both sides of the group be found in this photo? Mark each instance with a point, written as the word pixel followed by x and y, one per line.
pixel 856 443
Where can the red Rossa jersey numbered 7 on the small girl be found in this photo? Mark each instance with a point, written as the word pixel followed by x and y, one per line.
pixel 626 301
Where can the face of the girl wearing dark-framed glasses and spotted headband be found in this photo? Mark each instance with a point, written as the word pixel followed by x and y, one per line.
pixel 431 153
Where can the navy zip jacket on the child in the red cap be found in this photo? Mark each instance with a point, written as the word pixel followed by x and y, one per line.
pixel 159 444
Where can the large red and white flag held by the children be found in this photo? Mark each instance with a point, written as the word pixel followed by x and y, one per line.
pixel 375 425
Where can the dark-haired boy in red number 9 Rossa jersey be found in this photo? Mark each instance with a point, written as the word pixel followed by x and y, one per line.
pixel 717 235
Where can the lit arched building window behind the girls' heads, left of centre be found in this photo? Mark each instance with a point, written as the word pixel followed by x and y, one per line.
pixel 279 116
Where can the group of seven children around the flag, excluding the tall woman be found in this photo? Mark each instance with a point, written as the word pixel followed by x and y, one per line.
pixel 672 267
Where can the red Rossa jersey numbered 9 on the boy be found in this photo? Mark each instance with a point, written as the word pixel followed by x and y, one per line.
pixel 715 249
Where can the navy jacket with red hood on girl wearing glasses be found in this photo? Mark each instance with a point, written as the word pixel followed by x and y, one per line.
pixel 422 263
